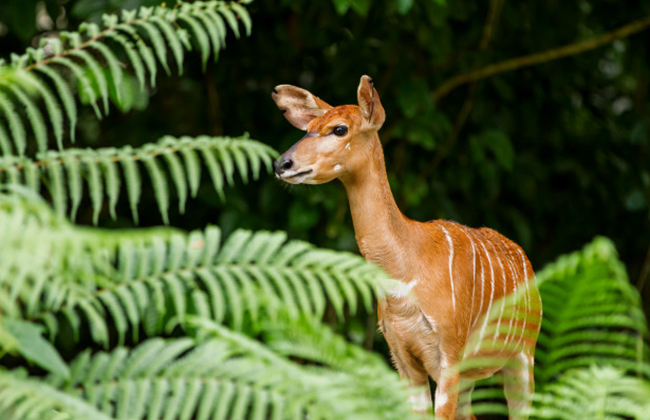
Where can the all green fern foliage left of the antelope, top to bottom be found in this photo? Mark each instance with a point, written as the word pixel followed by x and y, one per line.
pixel 190 325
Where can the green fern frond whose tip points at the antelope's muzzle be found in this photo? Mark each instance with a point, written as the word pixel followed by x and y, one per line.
pixel 65 173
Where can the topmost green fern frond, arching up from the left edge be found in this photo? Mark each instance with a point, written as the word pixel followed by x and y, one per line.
pixel 138 37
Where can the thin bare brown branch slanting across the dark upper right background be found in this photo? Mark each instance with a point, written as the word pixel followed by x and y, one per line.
pixel 541 57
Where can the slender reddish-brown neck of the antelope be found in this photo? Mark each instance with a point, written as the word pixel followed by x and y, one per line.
pixel 381 230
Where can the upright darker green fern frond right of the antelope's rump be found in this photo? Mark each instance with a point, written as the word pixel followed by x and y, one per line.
pixel 592 315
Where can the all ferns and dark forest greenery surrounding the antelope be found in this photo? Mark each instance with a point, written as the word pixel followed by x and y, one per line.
pixel 100 319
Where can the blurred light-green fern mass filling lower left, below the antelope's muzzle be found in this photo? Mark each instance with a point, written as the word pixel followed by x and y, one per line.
pixel 124 286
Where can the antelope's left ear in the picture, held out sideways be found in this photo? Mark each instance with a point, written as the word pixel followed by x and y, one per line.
pixel 299 105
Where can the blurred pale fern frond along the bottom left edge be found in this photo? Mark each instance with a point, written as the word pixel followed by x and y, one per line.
pixel 226 376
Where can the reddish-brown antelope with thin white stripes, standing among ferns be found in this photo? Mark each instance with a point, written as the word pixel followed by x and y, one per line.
pixel 433 328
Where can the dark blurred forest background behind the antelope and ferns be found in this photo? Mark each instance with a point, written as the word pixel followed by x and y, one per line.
pixel 551 153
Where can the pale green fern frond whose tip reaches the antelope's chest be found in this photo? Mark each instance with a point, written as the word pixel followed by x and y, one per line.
pixel 166 274
